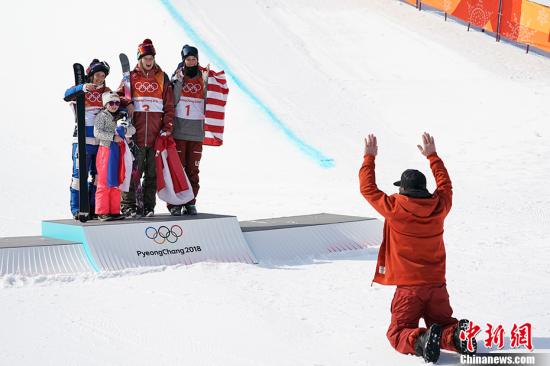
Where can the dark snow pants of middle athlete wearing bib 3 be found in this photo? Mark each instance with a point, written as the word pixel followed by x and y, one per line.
pixel 145 157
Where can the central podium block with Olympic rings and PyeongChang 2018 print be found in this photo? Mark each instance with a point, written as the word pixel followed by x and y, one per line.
pixel 155 241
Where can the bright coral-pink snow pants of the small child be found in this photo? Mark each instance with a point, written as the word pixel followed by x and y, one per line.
pixel 107 198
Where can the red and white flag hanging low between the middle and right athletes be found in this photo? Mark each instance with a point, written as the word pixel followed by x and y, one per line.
pixel 173 186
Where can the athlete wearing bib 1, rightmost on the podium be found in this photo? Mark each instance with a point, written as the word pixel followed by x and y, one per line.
pixel 190 81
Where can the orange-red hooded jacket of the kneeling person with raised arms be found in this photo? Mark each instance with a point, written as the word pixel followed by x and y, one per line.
pixel 412 250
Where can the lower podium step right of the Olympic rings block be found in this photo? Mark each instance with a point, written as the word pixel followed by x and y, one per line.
pixel 302 238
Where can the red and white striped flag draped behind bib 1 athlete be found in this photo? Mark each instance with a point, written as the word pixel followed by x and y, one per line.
pixel 216 98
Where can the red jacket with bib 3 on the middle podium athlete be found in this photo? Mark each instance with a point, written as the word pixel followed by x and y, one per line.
pixel 150 123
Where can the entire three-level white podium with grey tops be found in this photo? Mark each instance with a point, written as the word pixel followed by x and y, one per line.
pixel 69 247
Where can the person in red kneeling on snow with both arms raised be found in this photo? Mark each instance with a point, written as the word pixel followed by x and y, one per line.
pixel 412 256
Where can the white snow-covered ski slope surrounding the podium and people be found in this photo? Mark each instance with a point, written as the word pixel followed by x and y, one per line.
pixel 332 71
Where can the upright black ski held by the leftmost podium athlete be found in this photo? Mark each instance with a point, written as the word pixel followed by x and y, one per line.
pixel 83 197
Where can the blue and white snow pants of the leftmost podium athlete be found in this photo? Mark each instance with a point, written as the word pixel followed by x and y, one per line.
pixel 91 152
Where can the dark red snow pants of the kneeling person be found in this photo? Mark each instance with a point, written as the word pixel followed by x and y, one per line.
pixel 409 304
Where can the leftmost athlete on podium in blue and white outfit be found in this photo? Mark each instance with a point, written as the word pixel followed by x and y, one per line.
pixel 95 86
